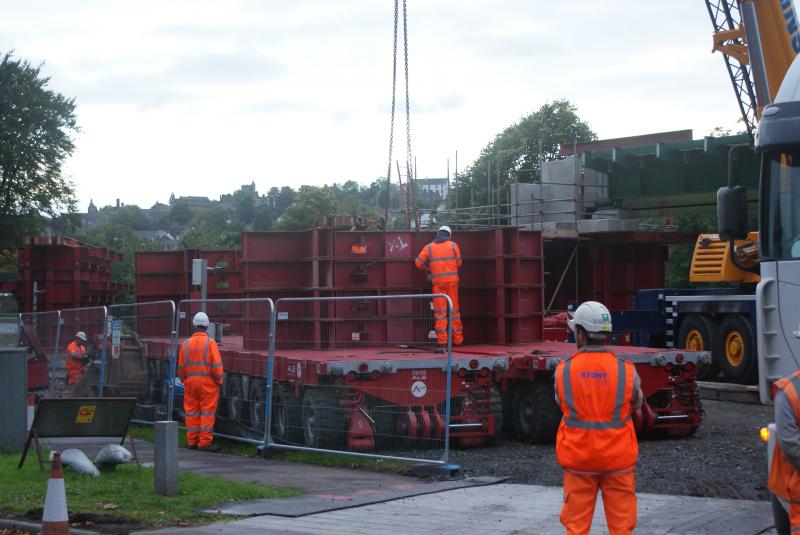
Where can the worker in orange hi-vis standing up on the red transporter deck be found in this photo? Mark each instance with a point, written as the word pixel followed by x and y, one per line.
pixel 442 258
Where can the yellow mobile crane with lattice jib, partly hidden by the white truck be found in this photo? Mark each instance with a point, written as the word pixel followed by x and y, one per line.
pixel 758 40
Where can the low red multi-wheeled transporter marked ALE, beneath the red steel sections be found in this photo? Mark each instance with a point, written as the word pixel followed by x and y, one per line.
pixel 350 398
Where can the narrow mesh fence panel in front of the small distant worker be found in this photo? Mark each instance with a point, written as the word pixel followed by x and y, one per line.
pixel 83 360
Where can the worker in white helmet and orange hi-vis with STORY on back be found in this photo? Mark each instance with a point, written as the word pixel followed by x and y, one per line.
pixel 596 443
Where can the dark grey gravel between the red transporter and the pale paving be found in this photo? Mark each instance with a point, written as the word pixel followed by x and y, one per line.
pixel 724 459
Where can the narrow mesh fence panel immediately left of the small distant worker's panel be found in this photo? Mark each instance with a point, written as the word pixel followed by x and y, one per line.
pixel 41 333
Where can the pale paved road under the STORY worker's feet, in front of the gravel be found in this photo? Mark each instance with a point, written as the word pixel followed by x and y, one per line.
pixel 505 509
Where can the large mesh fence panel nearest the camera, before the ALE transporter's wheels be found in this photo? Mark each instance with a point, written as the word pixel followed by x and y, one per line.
pixel 362 375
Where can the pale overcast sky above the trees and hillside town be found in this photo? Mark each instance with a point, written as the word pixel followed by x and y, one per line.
pixel 198 97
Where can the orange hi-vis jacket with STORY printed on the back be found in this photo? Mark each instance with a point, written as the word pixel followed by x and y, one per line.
pixel 596 434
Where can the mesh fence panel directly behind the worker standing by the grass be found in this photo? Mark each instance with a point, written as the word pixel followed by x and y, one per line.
pixel 241 328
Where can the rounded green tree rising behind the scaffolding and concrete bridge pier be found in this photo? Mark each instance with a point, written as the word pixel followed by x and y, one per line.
pixel 516 152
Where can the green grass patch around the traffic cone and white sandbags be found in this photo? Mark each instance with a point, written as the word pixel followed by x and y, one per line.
pixel 128 493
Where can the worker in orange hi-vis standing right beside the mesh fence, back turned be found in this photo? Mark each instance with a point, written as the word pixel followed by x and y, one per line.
pixel 200 370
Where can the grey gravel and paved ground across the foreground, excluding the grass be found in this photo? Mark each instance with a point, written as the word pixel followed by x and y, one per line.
pixel 716 479
